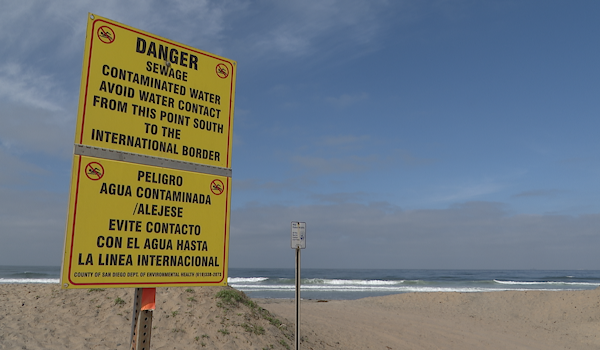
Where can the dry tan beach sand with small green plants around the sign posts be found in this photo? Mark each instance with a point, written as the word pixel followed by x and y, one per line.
pixel 38 316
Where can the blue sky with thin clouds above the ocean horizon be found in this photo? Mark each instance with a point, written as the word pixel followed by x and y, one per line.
pixel 425 134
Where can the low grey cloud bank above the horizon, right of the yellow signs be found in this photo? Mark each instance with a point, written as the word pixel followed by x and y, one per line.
pixel 470 235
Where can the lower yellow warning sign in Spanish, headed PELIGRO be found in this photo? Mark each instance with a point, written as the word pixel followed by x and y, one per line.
pixel 132 225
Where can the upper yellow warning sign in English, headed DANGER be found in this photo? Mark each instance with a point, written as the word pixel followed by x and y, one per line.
pixel 144 94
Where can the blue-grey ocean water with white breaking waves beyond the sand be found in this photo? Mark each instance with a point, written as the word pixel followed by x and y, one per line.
pixel 342 284
